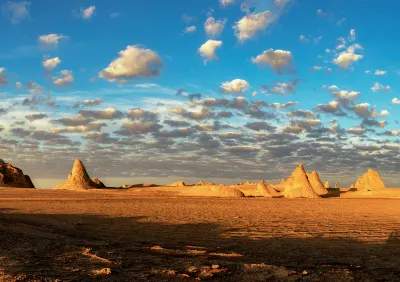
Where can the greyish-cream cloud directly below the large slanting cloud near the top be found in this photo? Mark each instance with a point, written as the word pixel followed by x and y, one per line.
pixel 278 60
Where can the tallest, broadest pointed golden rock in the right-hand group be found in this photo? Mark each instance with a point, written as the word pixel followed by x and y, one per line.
pixel 298 185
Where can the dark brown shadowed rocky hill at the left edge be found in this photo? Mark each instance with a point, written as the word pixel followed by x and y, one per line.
pixel 13 177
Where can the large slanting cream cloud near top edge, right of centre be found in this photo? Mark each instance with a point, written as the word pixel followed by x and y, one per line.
pixel 247 27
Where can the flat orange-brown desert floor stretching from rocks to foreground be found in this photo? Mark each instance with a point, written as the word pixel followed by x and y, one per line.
pixel 155 236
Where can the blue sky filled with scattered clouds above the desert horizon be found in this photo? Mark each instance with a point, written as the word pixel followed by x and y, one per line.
pixel 217 90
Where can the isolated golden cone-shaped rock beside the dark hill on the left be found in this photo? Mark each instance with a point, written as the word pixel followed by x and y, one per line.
pixel 79 179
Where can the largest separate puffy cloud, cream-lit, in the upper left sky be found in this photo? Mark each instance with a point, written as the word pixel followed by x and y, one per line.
pixel 133 62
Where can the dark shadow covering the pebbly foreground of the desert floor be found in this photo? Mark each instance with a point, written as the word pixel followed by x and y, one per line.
pixel 79 247
